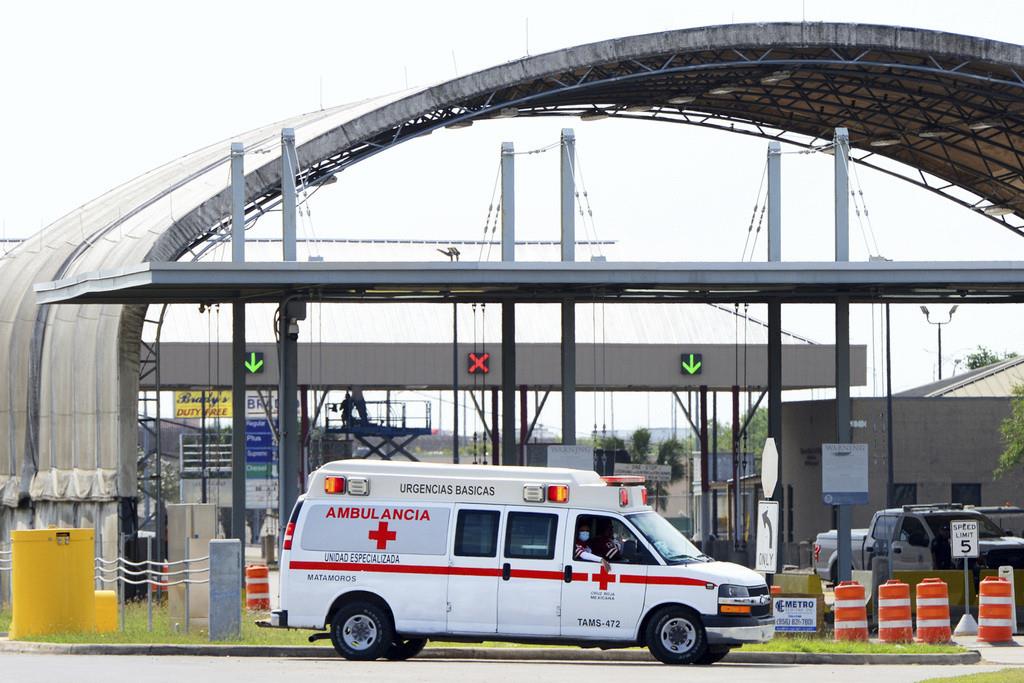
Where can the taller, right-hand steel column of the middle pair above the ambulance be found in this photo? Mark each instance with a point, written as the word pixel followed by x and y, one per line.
pixel 569 305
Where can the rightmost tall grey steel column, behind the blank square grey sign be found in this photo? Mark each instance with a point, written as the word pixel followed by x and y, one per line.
pixel 843 433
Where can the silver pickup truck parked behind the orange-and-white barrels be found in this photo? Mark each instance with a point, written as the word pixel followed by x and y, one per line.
pixel 910 531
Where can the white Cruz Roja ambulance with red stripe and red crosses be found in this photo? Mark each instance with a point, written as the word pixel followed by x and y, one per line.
pixel 388 556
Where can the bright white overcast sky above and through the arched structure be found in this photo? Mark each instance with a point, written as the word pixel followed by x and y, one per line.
pixel 96 94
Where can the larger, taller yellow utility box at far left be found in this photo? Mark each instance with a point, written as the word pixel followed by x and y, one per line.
pixel 53 582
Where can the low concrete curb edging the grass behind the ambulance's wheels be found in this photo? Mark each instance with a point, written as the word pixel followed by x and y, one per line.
pixel 493 654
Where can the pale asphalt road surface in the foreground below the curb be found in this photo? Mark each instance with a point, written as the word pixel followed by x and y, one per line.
pixel 90 669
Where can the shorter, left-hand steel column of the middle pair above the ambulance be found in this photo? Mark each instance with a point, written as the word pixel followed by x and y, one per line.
pixel 509 455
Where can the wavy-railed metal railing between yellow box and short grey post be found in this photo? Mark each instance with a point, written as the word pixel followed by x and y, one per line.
pixel 151 574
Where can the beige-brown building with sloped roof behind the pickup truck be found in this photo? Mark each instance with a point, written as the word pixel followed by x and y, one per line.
pixel 947 446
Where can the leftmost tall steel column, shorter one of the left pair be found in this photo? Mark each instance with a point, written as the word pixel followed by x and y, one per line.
pixel 238 351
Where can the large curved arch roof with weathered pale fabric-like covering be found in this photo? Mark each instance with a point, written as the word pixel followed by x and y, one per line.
pixel 948 109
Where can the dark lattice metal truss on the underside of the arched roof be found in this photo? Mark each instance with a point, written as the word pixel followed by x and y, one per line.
pixel 952 127
